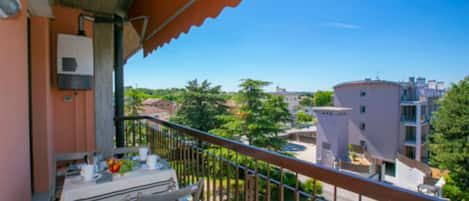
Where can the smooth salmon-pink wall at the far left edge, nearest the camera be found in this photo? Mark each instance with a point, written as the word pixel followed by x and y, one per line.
pixel 14 128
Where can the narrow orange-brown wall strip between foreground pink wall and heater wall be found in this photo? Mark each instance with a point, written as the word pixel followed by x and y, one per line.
pixel 41 116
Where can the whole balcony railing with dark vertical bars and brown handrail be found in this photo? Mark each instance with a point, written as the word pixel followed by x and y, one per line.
pixel 232 170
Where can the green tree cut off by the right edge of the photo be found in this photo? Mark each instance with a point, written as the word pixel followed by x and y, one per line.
pixel 449 140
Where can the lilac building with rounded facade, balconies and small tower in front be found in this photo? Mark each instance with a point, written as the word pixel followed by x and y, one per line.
pixel 381 118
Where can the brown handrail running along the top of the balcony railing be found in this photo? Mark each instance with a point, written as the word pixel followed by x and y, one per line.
pixel 345 180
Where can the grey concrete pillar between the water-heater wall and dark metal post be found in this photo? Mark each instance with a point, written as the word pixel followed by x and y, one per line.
pixel 103 86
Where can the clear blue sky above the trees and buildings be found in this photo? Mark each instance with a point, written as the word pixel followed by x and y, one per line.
pixel 306 45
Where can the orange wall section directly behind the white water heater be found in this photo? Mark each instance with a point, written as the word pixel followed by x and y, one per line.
pixel 74 125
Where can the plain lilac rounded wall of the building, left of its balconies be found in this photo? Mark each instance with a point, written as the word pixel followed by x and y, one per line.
pixel 382 116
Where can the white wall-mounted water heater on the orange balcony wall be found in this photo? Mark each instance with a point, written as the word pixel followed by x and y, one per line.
pixel 74 62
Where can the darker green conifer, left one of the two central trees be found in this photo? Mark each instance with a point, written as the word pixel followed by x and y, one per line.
pixel 200 105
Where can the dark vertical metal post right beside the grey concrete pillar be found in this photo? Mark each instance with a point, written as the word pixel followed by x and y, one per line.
pixel 119 80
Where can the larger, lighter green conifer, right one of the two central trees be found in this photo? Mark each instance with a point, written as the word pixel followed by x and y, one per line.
pixel 259 116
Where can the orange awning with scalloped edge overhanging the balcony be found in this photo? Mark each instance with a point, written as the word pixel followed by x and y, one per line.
pixel 167 19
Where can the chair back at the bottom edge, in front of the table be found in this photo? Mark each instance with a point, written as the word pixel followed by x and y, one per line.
pixel 195 190
